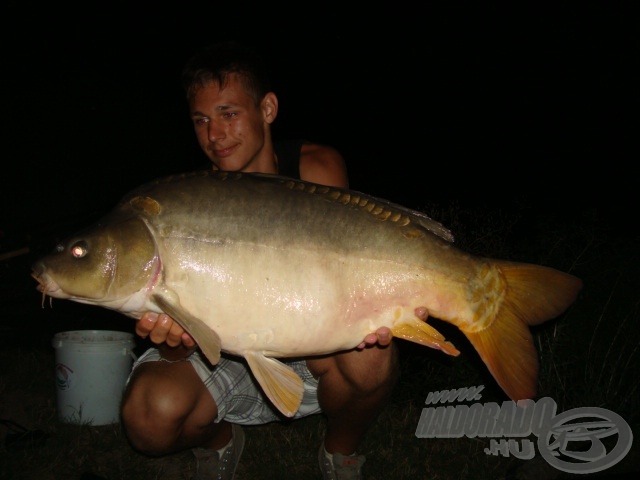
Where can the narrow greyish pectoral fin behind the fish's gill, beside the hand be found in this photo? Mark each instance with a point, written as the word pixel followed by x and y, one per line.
pixel 206 338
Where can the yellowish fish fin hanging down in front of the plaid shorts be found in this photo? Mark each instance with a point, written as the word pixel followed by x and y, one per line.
pixel 281 383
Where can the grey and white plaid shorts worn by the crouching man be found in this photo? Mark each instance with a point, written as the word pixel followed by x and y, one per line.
pixel 239 397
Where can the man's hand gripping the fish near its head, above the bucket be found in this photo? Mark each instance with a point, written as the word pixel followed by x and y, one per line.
pixel 174 343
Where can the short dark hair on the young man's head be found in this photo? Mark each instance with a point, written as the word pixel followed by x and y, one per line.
pixel 217 62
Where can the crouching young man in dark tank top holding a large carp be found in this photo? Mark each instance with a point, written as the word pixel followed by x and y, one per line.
pixel 175 399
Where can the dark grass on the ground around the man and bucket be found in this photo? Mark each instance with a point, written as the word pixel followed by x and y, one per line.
pixel 589 357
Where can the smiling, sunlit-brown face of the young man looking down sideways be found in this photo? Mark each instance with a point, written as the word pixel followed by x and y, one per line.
pixel 230 128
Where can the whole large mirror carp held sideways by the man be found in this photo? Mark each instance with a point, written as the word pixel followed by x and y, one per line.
pixel 267 267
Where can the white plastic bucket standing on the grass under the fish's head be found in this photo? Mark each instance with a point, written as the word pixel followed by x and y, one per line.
pixel 92 367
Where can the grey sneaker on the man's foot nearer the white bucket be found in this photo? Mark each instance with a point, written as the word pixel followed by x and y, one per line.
pixel 210 466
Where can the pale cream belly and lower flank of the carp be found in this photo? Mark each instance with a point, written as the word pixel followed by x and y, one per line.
pixel 295 301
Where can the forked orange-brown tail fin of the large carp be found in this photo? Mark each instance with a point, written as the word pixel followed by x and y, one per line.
pixel 533 295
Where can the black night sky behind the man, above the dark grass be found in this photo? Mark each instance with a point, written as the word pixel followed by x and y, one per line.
pixel 473 102
